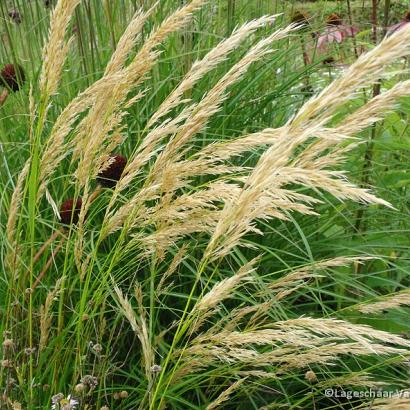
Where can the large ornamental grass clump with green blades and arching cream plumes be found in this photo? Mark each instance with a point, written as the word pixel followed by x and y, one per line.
pixel 163 271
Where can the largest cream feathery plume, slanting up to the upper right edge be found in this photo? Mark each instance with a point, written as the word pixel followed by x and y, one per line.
pixel 238 216
